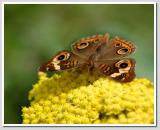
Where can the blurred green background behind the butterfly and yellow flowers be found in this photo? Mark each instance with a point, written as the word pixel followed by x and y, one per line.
pixel 34 33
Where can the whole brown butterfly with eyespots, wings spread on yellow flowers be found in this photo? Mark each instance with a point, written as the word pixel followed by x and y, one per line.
pixel 109 56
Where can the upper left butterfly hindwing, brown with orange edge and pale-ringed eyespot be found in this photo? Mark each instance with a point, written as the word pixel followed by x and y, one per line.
pixel 88 46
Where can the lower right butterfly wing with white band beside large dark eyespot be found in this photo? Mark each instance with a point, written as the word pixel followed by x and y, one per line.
pixel 121 70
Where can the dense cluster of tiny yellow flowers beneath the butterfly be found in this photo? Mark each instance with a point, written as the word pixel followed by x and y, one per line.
pixel 82 97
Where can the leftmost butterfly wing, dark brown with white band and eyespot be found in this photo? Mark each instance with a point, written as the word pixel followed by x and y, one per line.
pixel 62 61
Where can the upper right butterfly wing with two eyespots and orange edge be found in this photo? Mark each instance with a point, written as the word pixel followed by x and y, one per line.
pixel 116 48
